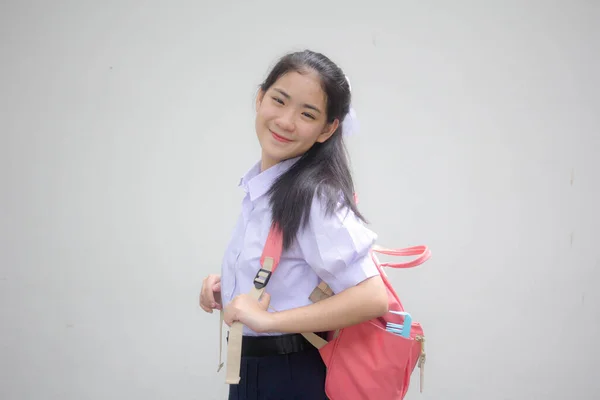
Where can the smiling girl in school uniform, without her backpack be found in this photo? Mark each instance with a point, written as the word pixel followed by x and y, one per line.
pixel 302 184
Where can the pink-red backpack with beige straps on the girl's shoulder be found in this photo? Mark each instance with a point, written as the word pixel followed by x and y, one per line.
pixel 364 361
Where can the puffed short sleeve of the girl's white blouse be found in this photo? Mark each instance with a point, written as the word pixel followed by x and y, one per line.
pixel 337 247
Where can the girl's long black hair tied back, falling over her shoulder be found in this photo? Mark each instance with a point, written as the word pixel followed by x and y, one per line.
pixel 323 170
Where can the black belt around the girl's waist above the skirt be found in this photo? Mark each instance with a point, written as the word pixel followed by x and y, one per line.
pixel 262 346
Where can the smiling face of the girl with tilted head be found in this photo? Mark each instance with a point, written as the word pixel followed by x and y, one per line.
pixel 291 116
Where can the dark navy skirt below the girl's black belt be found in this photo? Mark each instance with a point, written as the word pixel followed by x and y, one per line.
pixel 295 376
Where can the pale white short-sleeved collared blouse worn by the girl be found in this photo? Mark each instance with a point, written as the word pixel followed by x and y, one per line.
pixel 334 249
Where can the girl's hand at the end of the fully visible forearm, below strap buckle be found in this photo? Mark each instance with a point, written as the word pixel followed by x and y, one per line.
pixel 250 312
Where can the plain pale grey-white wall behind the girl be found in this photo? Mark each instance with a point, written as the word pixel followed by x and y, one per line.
pixel 125 127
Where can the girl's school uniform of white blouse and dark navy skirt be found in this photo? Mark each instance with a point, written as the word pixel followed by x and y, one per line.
pixel 333 248
